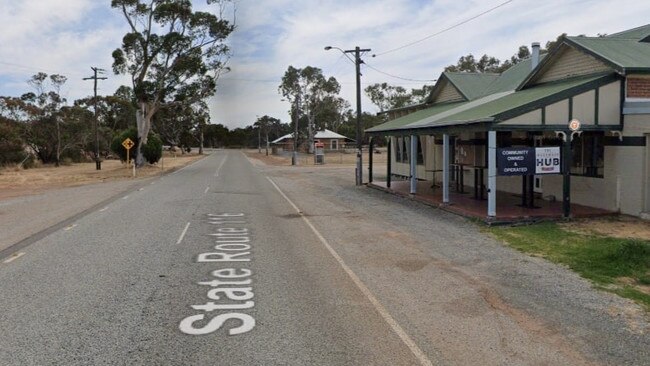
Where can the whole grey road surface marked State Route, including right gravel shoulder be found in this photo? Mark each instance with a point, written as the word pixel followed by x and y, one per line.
pixel 229 262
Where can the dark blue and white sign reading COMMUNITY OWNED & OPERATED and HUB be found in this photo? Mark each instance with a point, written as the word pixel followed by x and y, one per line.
pixel 528 161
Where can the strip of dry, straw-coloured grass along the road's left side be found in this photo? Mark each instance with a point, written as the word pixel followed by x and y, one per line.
pixel 15 182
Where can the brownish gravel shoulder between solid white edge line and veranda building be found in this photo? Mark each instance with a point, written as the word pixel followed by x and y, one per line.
pixel 469 298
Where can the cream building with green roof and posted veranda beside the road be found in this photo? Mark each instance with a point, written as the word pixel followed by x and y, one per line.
pixel 600 84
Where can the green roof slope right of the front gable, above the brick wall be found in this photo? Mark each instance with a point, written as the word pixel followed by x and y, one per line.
pixel 625 53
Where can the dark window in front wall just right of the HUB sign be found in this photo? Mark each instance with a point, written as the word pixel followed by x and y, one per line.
pixel 588 155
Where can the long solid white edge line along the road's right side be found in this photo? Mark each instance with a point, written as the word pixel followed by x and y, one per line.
pixel 408 341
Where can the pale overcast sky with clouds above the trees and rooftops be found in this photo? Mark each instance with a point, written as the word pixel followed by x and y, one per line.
pixel 69 36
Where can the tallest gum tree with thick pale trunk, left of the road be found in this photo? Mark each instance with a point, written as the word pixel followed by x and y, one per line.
pixel 173 54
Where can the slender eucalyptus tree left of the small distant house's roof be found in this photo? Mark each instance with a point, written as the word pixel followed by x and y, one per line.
pixel 307 89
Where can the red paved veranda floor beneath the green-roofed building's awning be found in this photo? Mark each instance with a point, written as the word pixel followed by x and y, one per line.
pixel 508 205
